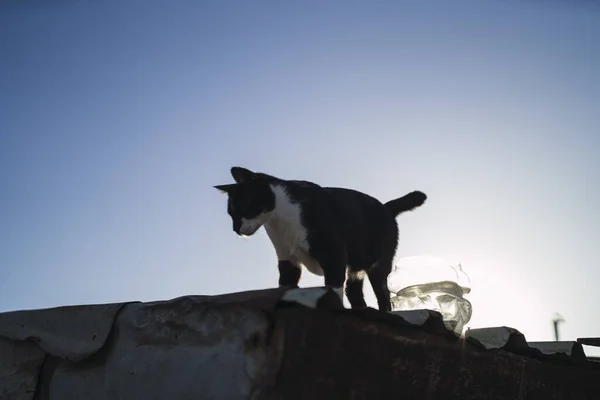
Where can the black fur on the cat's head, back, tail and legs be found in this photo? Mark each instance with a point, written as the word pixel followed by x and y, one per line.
pixel 347 231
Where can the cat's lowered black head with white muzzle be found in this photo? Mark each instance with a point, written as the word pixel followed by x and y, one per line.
pixel 250 200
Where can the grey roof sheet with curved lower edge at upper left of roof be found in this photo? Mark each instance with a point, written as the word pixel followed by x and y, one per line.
pixel 71 332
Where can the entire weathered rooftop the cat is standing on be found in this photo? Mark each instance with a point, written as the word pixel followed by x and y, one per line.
pixel 267 344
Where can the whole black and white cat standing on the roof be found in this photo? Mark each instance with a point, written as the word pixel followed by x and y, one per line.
pixel 341 234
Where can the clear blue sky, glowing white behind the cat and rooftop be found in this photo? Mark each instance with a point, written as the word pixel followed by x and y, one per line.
pixel 118 117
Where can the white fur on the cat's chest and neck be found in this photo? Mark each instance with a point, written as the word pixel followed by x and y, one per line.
pixel 287 233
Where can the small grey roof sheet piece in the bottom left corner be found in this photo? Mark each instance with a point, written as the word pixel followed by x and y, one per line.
pixel 20 363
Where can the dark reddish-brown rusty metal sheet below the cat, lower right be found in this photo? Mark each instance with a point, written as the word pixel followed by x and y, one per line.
pixel 343 357
